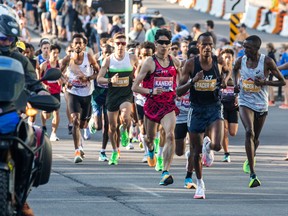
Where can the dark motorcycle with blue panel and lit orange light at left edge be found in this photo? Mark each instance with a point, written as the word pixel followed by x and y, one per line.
pixel 25 151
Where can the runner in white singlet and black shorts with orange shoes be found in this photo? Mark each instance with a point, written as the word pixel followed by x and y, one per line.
pixel 80 86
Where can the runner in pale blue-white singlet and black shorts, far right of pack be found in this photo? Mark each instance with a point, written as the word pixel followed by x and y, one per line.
pixel 253 69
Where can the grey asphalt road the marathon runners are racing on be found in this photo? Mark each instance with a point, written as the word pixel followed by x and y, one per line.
pixel 132 188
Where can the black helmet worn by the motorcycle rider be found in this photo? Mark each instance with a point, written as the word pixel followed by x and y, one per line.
pixel 9 26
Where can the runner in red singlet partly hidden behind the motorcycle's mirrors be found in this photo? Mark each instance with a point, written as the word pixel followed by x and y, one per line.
pixel 54 87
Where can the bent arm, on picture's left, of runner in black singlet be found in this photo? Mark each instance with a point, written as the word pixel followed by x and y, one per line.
pixel 184 85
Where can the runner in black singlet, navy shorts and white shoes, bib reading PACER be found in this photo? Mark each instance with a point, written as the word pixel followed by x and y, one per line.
pixel 205 114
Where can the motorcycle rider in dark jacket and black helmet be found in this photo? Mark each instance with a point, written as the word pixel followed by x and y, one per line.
pixel 9 33
